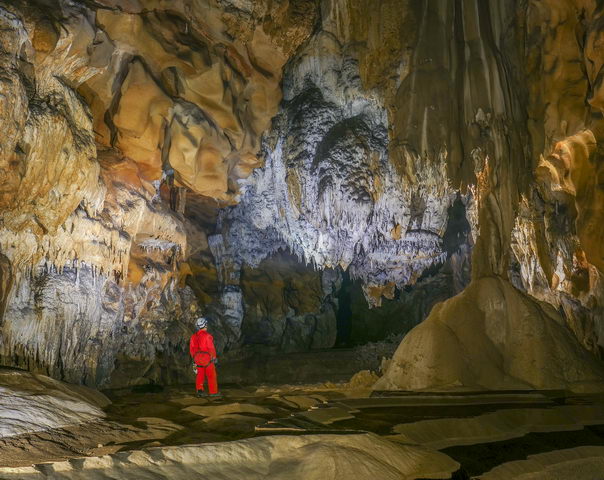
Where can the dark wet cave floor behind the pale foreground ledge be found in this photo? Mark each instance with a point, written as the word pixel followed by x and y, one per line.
pixel 492 435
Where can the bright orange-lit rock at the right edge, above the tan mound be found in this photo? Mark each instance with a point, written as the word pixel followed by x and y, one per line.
pixel 555 259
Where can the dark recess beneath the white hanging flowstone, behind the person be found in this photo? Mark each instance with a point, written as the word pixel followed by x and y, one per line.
pixel 288 307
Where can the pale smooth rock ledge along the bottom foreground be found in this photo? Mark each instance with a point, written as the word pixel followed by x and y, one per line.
pixel 297 457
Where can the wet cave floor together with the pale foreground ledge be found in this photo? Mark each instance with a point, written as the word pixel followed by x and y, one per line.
pixel 422 435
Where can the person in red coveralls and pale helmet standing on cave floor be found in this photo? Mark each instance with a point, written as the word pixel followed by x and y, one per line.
pixel 201 348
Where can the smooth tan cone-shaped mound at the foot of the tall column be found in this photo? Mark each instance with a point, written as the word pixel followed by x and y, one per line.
pixel 491 336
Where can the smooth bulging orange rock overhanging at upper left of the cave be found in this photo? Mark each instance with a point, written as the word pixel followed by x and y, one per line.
pixel 223 89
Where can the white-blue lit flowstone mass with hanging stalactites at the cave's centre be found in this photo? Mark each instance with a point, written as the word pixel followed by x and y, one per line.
pixel 328 191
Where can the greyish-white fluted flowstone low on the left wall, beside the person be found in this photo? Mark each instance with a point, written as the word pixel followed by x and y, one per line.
pixel 85 328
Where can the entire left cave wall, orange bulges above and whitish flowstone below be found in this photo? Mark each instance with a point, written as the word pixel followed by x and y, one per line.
pixel 108 118
